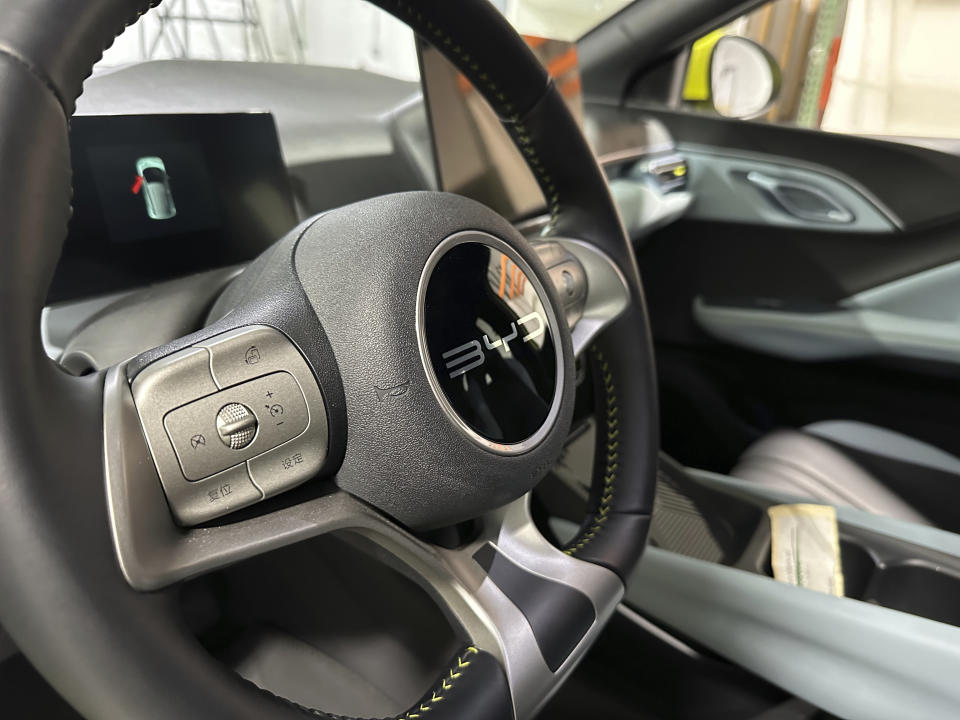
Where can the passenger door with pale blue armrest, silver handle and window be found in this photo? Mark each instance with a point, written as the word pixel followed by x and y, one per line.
pixel 816 274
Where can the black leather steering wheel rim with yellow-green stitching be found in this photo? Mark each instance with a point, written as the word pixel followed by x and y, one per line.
pixel 65 601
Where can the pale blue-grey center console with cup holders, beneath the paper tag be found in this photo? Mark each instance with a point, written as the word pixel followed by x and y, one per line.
pixel 889 649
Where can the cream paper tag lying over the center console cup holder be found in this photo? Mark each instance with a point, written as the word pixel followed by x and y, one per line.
pixel 805 547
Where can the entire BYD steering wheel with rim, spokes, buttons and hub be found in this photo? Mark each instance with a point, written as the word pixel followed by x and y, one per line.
pixel 378 354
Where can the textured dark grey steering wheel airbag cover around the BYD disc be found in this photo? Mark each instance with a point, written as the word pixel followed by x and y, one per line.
pixel 360 268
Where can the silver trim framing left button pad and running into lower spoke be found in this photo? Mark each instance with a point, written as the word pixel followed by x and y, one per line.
pixel 511 593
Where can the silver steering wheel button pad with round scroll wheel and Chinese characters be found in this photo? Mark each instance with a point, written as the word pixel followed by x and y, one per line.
pixel 180 398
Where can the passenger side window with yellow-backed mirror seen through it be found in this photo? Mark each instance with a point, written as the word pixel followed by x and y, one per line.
pixel 872 67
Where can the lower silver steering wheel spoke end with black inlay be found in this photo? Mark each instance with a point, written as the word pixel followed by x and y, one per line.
pixel 530 605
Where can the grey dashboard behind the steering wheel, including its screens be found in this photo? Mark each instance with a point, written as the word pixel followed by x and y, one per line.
pixel 180 170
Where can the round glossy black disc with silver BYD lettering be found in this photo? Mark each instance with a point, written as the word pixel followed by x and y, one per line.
pixel 489 342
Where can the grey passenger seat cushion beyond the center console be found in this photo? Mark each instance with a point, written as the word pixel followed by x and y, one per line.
pixel 842 462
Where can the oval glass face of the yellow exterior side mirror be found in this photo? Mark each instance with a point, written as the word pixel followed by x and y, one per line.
pixel 744 78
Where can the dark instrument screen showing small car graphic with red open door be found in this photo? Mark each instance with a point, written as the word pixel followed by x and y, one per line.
pixel 161 196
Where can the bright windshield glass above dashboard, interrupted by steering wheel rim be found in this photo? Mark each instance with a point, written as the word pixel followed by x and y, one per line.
pixel 327 33
